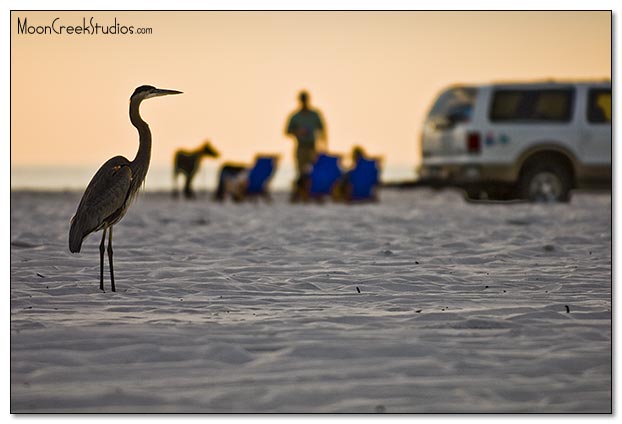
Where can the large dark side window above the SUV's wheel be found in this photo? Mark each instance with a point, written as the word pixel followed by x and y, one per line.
pixel 532 106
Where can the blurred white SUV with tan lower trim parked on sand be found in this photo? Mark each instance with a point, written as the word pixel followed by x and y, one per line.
pixel 535 141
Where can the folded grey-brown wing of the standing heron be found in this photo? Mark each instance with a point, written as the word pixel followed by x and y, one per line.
pixel 104 197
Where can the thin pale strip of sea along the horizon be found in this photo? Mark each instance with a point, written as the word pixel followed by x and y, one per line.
pixel 158 178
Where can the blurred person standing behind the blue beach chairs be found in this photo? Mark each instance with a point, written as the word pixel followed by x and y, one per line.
pixel 308 127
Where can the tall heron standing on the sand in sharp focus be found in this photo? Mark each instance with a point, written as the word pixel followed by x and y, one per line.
pixel 113 187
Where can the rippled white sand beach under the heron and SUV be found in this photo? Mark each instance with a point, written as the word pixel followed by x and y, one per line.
pixel 422 303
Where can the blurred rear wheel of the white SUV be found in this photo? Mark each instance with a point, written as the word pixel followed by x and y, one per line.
pixel 545 182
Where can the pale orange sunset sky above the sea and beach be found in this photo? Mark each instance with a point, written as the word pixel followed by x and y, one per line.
pixel 373 75
